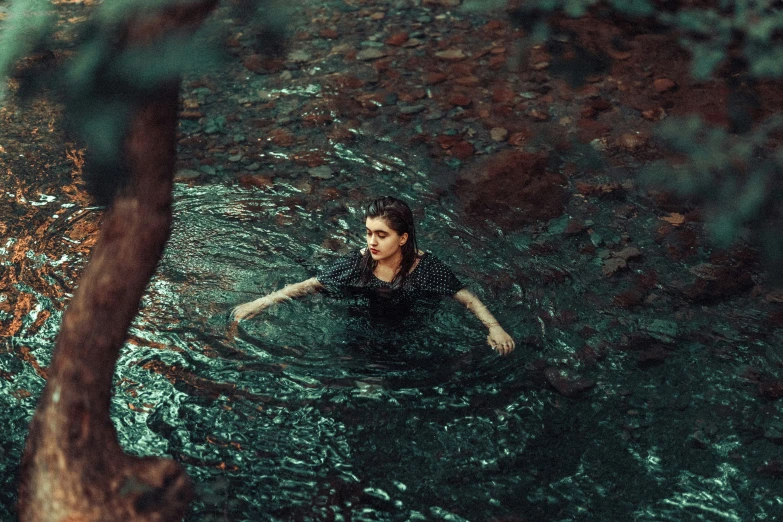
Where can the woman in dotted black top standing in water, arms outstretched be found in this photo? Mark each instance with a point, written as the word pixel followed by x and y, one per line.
pixel 391 271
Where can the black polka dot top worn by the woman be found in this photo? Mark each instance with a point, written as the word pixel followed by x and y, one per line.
pixel 430 278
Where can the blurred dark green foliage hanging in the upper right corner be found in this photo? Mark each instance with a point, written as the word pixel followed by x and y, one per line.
pixel 733 172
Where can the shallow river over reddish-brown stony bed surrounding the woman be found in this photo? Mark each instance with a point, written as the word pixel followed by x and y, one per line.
pixel 647 380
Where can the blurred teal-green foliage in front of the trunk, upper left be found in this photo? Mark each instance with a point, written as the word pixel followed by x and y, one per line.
pixel 100 80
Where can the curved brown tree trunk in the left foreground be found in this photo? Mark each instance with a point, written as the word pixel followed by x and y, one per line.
pixel 73 468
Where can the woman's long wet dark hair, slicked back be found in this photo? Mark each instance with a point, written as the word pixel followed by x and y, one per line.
pixel 399 217
